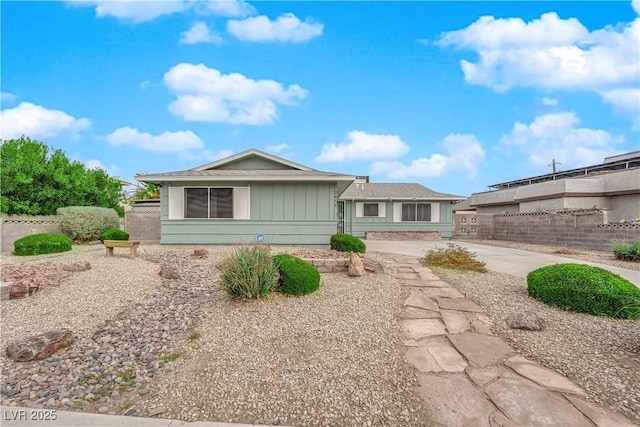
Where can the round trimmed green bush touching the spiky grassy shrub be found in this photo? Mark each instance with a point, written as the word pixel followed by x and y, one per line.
pixel 296 276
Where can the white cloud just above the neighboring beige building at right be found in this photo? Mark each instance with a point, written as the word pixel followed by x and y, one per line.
pixel 557 136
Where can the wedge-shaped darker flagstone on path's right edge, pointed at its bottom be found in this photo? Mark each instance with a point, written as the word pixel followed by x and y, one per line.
pixel 481 350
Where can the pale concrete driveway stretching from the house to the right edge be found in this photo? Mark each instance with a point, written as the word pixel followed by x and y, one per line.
pixel 504 260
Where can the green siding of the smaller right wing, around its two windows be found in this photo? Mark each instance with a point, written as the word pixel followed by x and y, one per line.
pixel 358 226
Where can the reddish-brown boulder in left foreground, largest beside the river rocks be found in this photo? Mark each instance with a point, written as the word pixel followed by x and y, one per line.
pixel 40 346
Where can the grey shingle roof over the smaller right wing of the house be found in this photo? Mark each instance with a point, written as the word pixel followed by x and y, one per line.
pixel 360 191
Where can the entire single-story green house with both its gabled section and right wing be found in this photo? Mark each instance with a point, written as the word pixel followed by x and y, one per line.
pixel 255 196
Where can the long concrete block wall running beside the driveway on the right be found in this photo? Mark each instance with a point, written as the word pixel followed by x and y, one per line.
pixel 583 229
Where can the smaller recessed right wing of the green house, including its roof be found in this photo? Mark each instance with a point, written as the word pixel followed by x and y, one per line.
pixel 371 207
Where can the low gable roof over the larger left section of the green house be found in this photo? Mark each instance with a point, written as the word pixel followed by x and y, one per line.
pixel 216 171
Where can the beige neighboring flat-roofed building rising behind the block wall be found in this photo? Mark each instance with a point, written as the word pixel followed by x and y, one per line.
pixel 613 185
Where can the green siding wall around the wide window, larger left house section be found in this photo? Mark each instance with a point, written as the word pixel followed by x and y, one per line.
pixel 284 213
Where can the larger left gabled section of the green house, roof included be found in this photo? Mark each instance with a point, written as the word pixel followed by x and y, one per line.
pixel 250 194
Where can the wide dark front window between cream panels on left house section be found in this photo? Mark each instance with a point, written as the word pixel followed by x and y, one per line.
pixel 208 203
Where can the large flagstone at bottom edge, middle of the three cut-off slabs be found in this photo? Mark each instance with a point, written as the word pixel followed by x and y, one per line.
pixel 526 403
